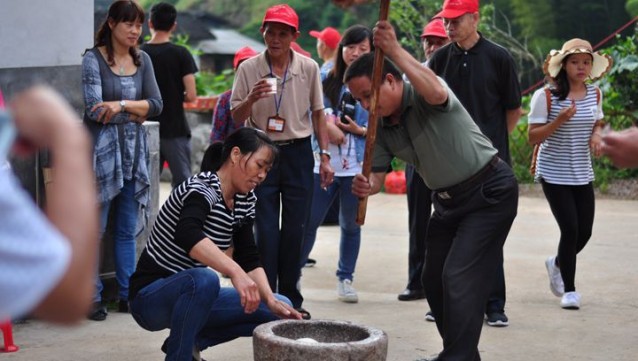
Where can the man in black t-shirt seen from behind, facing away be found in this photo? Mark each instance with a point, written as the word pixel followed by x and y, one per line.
pixel 175 71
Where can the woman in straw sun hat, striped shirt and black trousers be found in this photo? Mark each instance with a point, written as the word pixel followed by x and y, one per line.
pixel 566 118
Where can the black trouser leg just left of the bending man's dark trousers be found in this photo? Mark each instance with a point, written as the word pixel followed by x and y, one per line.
pixel 419 210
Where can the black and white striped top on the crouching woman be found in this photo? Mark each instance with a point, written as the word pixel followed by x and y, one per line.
pixel 196 210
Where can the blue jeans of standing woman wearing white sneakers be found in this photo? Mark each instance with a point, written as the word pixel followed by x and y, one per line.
pixel 350 231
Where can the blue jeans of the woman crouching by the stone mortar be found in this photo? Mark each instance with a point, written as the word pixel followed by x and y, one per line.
pixel 197 310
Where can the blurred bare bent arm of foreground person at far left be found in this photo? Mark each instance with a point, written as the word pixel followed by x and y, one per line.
pixel 44 119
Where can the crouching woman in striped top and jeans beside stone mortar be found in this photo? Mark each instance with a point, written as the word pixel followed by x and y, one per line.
pixel 175 285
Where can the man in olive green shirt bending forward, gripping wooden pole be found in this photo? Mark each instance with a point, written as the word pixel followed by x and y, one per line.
pixel 475 194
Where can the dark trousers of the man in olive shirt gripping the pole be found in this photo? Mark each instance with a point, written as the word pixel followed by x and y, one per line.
pixel 465 241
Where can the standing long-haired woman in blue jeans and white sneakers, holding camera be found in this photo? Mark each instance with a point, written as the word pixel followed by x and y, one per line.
pixel 347 122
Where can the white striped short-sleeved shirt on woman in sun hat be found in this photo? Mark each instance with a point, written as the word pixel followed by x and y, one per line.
pixel 564 157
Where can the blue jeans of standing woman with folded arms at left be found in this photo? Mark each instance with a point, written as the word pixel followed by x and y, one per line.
pixel 124 219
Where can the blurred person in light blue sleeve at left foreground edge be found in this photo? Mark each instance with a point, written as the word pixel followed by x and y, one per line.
pixel 48 260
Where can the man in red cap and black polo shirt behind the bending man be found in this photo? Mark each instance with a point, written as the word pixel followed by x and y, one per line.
pixel 482 75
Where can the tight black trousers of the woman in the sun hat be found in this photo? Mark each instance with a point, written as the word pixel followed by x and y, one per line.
pixel 573 208
